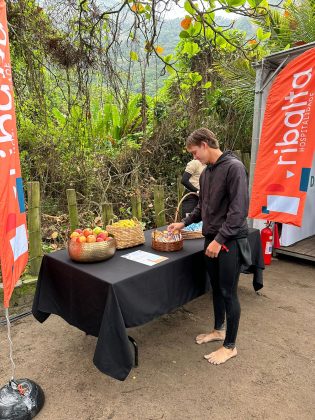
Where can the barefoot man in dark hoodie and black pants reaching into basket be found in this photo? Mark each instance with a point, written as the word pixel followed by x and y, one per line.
pixel 223 207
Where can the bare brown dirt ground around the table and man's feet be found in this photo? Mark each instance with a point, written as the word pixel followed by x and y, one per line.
pixel 273 376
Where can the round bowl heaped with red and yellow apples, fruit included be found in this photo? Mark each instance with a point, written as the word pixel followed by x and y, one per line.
pixel 91 245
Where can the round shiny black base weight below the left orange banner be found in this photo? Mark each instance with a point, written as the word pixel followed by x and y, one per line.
pixel 20 399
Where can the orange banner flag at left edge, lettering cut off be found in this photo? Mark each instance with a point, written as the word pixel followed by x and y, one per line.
pixel 13 234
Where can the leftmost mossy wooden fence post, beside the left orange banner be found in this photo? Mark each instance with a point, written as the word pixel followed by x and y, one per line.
pixel 34 227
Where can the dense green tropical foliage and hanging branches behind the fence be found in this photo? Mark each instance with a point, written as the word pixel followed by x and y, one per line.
pixel 81 73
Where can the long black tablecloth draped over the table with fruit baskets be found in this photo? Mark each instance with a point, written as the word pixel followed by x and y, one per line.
pixel 105 298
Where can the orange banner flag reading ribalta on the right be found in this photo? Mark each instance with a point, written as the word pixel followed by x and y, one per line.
pixel 287 145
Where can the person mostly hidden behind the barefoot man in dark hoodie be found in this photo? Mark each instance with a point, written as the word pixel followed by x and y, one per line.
pixel 190 180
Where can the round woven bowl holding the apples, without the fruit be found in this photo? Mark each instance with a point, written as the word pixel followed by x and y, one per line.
pixel 91 252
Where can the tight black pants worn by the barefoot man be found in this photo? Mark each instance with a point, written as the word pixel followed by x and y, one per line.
pixel 224 272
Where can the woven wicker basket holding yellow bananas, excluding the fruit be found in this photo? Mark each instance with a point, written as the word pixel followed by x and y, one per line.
pixel 127 237
